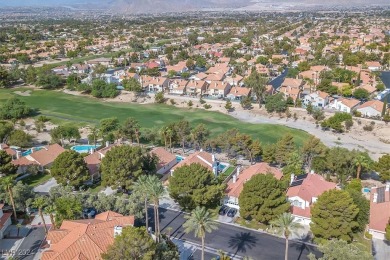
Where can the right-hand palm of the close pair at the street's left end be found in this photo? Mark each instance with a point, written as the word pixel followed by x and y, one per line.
pixel 156 190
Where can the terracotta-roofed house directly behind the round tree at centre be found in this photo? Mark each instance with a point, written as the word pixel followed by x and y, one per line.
pixel 205 159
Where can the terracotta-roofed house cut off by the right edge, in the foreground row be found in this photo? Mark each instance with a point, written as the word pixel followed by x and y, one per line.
pixel 379 211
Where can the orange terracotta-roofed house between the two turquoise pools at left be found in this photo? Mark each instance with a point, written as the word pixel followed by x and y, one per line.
pixel 43 158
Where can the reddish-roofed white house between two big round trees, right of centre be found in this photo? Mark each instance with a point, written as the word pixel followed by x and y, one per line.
pixel 303 192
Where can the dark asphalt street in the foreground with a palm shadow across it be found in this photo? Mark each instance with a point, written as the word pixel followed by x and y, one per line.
pixel 236 240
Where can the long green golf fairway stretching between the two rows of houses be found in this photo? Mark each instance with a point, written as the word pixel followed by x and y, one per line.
pixel 64 107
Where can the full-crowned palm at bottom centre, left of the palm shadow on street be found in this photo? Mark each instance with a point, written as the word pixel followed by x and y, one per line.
pixel 200 222
